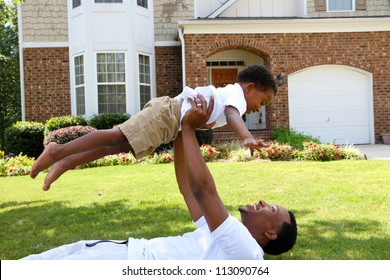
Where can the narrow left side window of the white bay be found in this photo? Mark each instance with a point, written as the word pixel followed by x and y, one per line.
pixel 79 84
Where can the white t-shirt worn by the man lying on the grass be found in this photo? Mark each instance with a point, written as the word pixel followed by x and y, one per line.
pixel 230 241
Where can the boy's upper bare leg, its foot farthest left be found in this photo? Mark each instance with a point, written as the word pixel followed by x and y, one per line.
pixel 55 152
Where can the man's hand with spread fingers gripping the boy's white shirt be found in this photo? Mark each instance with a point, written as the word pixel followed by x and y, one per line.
pixel 199 113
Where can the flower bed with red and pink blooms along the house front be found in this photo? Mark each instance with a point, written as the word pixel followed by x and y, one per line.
pixel 21 164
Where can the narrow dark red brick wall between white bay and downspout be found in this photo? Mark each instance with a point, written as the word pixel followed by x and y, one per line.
pixel 169 77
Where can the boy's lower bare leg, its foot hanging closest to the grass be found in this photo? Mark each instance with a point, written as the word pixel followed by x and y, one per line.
pixel 70 162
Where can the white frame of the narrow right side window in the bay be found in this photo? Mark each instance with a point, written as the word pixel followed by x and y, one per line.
pixel 144 79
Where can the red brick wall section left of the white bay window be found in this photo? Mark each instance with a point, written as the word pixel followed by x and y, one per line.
pixel 46 83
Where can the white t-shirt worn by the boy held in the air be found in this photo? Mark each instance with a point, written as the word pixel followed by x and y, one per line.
pixel 230 95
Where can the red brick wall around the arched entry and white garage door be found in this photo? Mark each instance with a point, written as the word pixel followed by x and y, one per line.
pixel 288 53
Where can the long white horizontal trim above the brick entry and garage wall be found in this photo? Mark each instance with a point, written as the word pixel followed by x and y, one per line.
pixel 272 26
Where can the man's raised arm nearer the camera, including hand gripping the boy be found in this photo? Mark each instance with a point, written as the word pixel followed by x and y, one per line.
pixel 199 177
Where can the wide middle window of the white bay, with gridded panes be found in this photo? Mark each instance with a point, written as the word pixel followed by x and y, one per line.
pixel 111 82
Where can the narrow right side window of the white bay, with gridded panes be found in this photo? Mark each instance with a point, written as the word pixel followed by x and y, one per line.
pixel 144 79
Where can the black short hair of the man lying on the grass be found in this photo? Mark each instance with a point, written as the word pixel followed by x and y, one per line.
pixel 287 236
